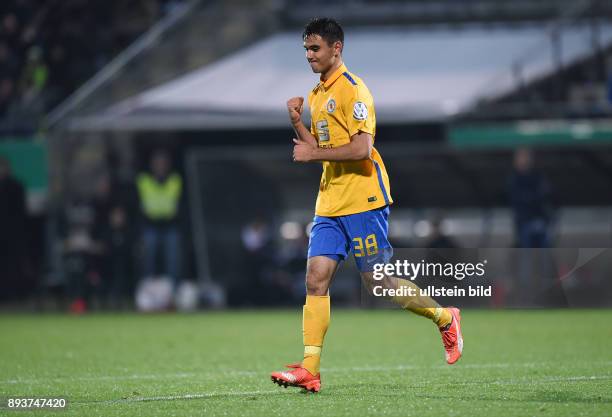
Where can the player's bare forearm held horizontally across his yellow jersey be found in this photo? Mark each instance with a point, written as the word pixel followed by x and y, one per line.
pixel 359 148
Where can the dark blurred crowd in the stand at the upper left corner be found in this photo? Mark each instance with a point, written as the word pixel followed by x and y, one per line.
pixel 49 48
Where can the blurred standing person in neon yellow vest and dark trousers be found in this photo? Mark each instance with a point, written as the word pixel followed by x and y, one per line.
pixel 160 193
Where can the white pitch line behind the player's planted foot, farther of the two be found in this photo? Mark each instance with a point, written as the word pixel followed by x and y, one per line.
pixel 180 375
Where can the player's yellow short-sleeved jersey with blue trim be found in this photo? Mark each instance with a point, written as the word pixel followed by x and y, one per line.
pixel 341 107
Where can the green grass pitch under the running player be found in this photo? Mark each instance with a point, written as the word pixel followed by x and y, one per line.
pixel 375 363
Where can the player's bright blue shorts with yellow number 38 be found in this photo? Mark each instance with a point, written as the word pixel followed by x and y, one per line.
pixel 364 234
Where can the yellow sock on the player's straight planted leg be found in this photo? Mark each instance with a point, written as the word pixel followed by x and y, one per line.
pixel 316 316
